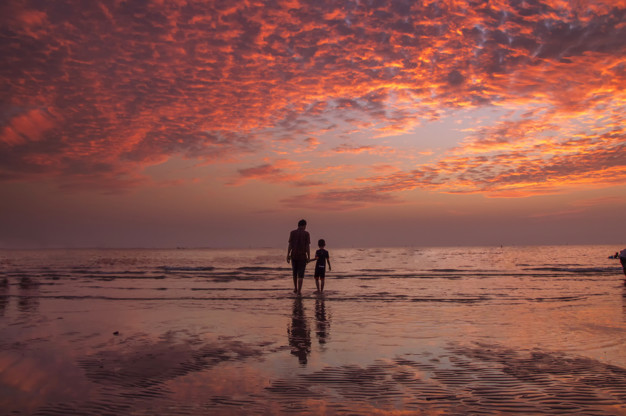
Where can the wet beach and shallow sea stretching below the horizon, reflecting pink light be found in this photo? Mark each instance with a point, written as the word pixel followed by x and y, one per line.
pixel 451 330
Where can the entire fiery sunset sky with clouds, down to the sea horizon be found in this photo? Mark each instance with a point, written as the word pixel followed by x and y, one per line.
pixel 183 123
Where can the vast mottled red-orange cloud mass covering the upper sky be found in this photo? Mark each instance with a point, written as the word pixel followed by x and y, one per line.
pixel 95 92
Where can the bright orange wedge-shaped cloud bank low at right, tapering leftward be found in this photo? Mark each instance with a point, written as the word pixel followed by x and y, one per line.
pixel 514 174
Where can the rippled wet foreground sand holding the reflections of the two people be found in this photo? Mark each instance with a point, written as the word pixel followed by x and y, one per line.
pixel 187 359
